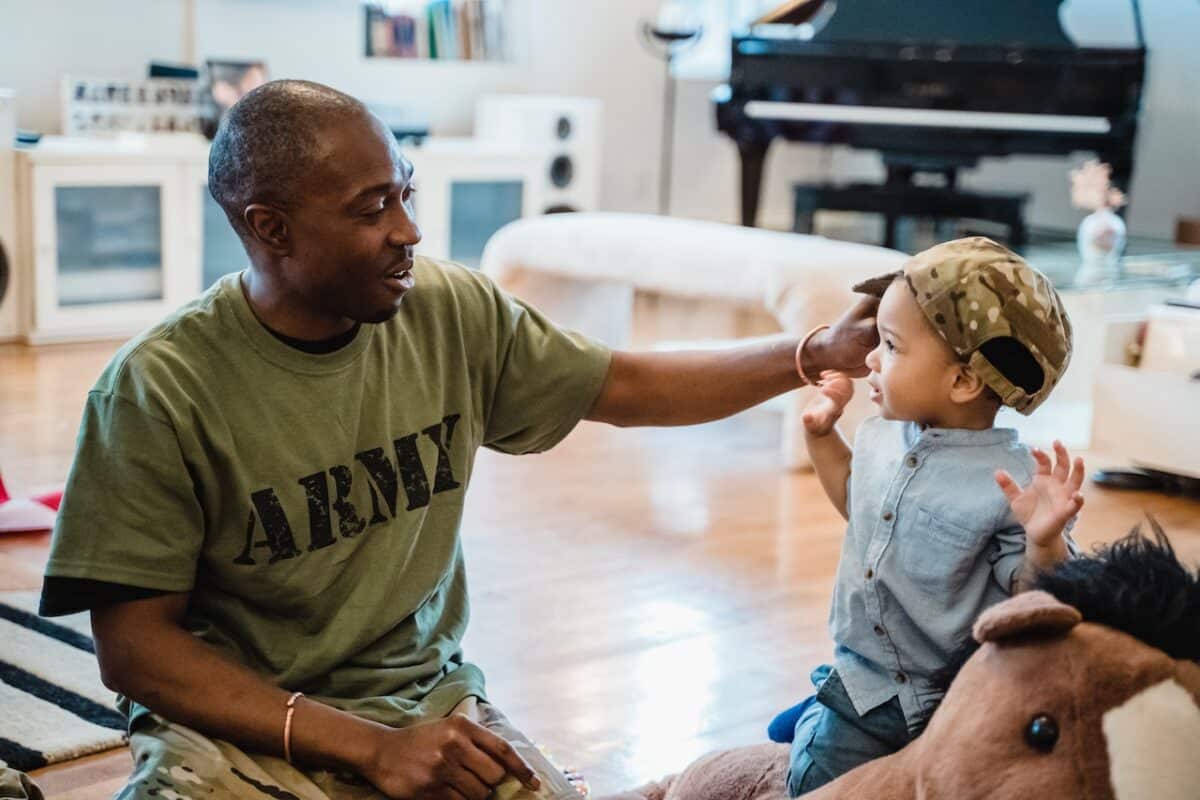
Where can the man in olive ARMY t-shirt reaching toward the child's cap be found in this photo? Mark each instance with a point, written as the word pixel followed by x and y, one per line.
pixel 268 488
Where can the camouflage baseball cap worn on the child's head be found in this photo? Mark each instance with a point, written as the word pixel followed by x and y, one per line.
pixel 999 315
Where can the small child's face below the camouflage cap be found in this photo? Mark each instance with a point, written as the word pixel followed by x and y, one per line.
pixel 914 369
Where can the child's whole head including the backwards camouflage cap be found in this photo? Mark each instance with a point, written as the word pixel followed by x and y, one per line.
pixel 964 328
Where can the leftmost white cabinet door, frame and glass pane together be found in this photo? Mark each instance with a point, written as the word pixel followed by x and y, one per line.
pixel 109 240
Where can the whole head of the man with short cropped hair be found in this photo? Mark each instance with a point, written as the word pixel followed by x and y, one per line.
pixel 322 199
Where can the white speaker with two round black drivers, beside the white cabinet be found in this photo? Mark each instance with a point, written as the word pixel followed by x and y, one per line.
pixel 569 129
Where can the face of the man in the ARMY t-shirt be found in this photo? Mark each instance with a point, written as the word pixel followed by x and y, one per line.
pixel 353 230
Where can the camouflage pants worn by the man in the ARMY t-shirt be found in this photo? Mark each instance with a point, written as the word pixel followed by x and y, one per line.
pixel 172 762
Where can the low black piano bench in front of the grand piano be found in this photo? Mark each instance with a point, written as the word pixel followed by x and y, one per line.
pixel 907 201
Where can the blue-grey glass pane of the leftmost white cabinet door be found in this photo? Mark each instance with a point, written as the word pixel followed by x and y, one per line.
pixel 110 244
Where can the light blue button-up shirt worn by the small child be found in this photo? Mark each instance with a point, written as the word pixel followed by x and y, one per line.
pixel 932 543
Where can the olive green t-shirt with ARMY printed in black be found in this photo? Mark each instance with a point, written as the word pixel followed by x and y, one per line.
pixel 311 504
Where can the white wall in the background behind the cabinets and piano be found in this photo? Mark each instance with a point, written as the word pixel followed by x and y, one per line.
pixel 591 47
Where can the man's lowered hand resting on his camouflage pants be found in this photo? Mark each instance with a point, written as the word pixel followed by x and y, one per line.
pixel 451 760
